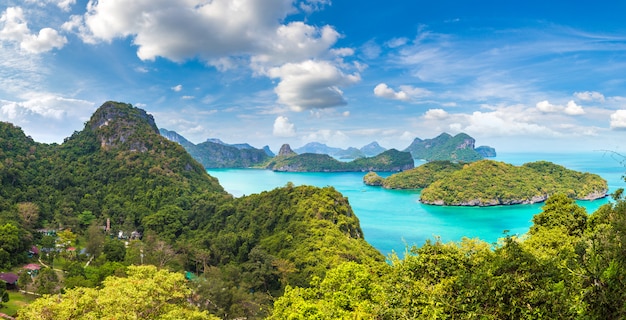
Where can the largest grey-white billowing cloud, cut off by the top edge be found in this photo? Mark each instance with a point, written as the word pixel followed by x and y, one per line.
pixel 182 29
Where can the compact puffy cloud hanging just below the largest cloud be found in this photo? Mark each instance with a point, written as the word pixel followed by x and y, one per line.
pixel 311 84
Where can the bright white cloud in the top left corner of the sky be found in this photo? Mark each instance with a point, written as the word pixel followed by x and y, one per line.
pixel 15 29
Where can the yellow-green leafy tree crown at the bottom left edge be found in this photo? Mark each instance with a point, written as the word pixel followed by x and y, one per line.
pixel 147 293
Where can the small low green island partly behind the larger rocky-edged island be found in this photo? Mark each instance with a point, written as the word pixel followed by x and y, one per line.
pixel 416 178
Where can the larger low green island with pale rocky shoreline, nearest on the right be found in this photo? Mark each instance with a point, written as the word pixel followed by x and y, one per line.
pixel 486 182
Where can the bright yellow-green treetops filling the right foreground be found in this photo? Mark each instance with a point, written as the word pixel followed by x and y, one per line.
pixel 570 266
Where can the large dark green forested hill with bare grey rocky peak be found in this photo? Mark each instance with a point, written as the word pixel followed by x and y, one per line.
pixel 119 168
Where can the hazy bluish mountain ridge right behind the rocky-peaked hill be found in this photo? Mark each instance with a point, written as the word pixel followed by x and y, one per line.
pixel 214 153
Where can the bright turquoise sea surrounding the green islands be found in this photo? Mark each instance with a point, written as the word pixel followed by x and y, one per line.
pixel 394 219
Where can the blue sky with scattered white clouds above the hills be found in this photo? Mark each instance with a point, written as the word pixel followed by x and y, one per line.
pixel 530 76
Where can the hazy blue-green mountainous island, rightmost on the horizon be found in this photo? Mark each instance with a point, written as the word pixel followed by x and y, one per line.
pixel 459 148
